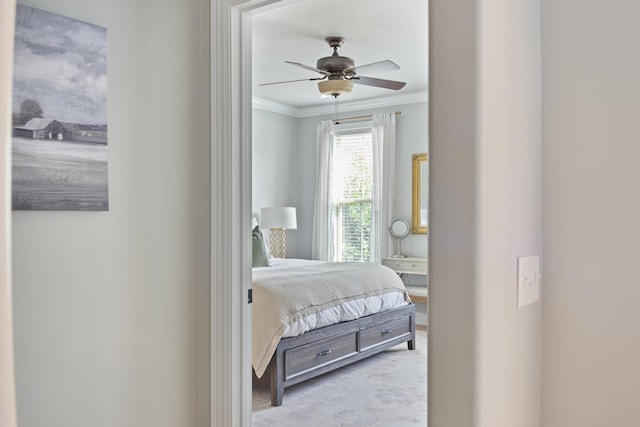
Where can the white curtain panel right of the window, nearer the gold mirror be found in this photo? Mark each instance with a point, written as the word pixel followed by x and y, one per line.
pixel 383 135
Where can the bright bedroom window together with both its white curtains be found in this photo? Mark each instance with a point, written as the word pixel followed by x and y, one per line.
pixel 354 189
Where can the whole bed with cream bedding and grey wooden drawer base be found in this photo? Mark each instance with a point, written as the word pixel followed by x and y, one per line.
pixel 311 317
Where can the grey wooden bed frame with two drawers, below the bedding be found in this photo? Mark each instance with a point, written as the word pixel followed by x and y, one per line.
pixel 322 350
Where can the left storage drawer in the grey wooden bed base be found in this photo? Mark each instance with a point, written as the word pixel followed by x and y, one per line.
pixel 305 358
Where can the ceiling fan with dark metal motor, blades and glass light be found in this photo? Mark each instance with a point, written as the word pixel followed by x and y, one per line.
pixel 339 73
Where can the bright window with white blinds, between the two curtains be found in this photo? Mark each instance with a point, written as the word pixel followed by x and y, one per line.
pixel 352 196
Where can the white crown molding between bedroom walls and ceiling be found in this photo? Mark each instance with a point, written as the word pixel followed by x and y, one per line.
pixel 319 110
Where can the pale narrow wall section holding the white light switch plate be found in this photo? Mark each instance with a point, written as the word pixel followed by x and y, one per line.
pixel 508 213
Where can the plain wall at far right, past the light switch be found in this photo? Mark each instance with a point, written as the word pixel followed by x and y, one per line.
pixel 591 100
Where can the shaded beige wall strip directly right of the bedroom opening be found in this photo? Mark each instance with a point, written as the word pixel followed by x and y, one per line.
pixel 452 122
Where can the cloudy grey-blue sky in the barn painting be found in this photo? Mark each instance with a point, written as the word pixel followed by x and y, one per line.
pixel 61 63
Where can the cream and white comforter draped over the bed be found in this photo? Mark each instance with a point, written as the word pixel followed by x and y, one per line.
pixel 293 296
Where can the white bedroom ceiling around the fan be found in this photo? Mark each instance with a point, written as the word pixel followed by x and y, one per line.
pixel 374 30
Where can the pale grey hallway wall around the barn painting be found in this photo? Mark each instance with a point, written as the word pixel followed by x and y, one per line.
pixel 111 308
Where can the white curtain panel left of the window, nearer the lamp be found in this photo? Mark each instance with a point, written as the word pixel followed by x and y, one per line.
pixel 322 240
